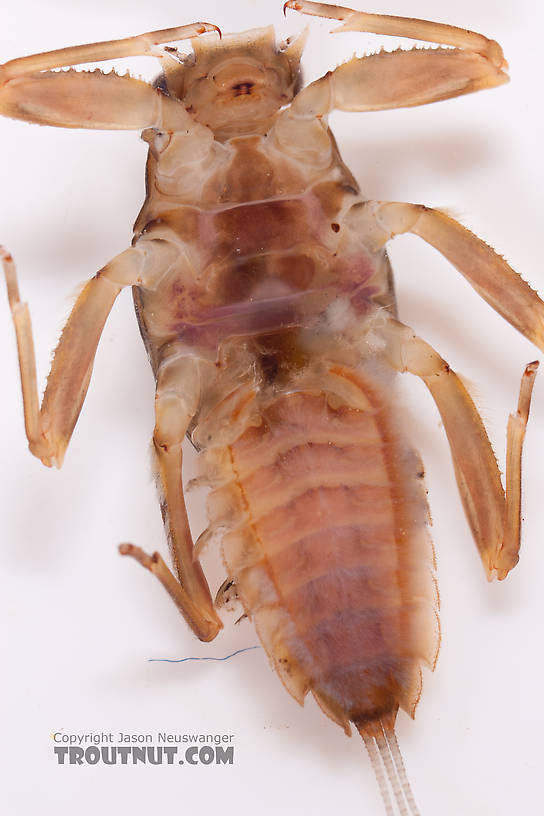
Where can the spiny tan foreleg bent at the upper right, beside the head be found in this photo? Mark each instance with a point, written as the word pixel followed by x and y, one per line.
pixel 400 78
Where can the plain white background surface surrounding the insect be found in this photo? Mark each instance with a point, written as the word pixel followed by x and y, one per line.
pixel 79 622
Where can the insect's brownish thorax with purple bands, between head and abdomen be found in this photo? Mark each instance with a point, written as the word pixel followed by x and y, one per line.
pixel 263 248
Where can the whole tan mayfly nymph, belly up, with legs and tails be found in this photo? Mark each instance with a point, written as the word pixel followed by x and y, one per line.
pixel 265 301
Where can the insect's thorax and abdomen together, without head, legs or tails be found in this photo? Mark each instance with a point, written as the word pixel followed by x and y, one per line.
pixel 274 293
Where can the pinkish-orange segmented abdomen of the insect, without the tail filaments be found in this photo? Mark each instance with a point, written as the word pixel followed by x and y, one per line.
pixel 329 549
